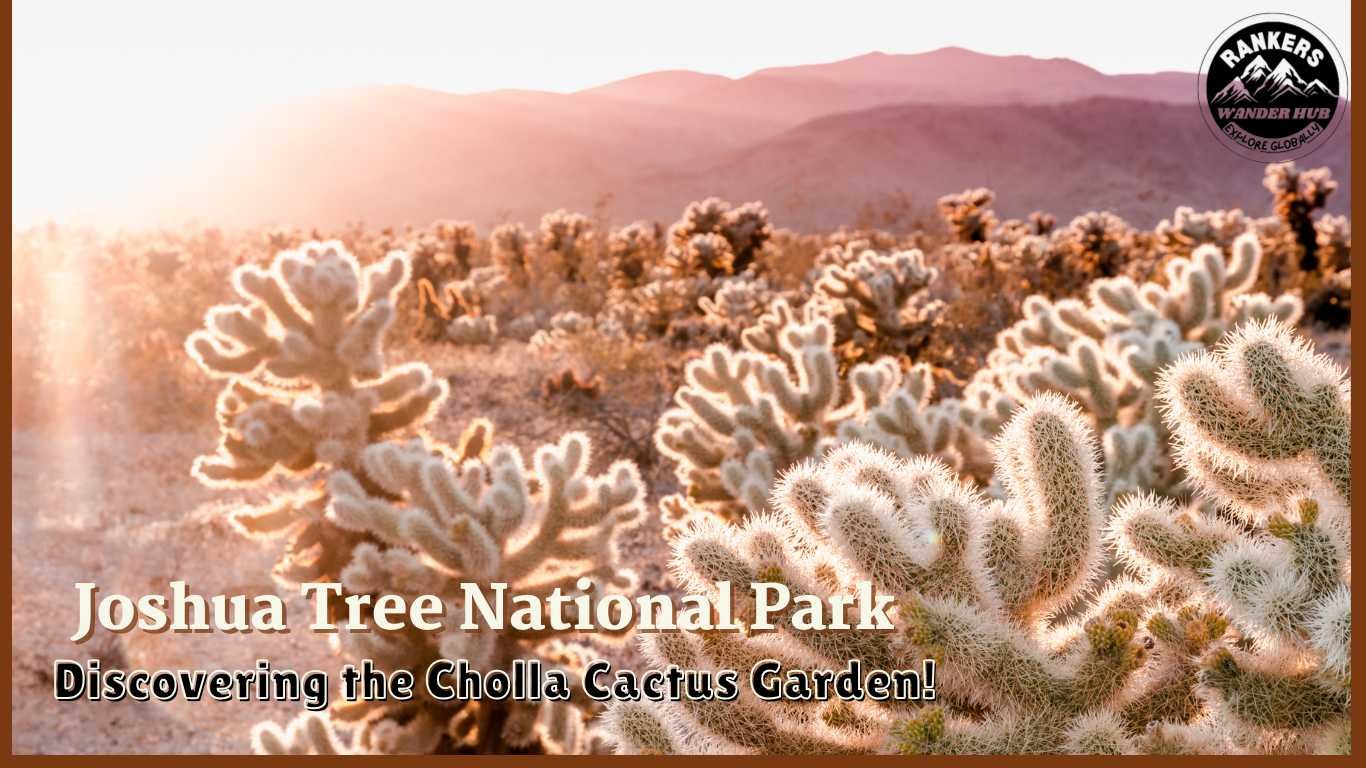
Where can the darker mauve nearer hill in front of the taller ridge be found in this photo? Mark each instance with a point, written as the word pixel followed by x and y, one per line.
pixel 1137 159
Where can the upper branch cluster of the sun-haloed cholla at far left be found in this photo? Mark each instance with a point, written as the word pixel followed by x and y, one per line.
pixel 307 379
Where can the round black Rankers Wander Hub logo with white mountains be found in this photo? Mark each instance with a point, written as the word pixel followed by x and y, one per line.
pixel 1274 90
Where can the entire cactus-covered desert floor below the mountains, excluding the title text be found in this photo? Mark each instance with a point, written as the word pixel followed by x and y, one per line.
pixel 1104 469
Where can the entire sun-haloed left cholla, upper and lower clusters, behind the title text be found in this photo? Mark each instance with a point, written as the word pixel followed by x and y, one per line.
pixel 309 392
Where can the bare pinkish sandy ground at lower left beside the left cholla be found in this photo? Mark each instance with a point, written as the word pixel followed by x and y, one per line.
pixel 121 510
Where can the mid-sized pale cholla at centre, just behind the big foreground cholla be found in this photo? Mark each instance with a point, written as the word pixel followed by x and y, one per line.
pixel 745 417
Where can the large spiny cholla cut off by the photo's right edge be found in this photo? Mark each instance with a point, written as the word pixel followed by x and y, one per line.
pixel 1264 434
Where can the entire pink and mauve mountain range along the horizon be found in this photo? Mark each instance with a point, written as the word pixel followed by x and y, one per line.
pixel 822 146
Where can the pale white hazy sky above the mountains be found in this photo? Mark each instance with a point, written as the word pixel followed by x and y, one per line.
pixel 104 91
